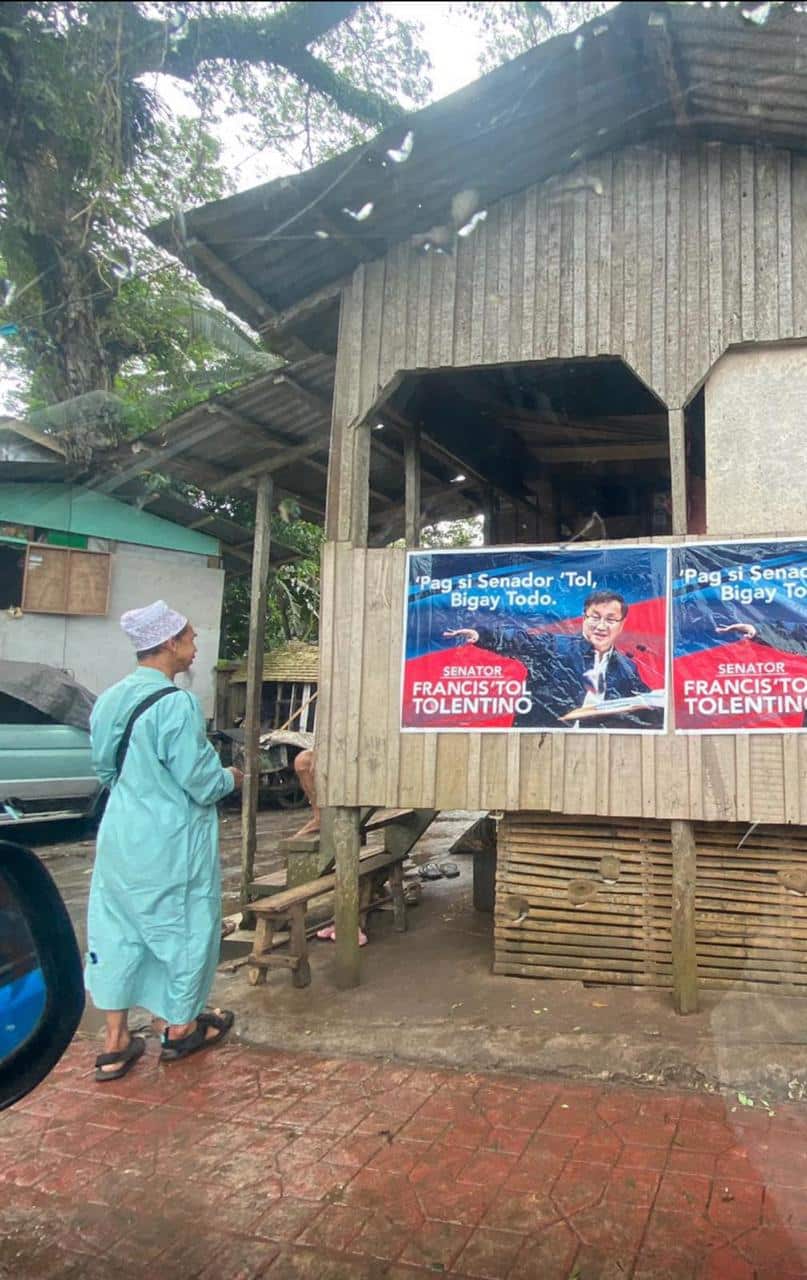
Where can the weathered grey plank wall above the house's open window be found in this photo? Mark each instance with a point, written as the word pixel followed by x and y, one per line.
pixel 664 257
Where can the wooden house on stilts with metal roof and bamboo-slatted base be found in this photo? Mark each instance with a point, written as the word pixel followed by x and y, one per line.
pixel 577 305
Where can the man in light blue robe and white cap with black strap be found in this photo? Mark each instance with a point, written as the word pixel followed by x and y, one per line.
pixel 156 899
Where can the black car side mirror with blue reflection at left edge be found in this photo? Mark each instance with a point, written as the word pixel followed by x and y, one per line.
pixel 42 982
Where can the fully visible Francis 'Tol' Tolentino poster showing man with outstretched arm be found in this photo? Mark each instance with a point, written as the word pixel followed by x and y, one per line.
pixel 536 639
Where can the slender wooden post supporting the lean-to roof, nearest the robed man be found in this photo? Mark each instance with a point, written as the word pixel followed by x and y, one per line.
pixel 256 674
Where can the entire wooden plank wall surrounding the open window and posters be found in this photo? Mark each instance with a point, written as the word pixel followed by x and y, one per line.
pixel 665 258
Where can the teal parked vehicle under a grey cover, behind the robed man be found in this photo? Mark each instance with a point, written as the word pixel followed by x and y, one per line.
pixel 45 762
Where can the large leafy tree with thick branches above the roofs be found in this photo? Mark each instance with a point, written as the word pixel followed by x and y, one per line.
pixel 90 154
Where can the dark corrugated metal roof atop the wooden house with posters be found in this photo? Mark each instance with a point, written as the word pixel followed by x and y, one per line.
pixel 641 71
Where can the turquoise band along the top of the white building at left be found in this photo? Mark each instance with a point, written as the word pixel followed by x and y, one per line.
pixel 74 510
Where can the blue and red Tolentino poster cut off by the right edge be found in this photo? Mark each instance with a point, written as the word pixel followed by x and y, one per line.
pixel 740 637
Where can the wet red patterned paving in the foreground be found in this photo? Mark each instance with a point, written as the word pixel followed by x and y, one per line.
pixel 241 1164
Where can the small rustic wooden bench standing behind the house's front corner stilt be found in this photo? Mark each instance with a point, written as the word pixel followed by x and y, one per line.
pixel 291 907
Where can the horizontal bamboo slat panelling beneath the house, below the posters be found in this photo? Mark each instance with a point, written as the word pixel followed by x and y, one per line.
pixel 557 916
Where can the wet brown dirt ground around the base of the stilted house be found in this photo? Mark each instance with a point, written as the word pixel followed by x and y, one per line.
pixel 428 996
